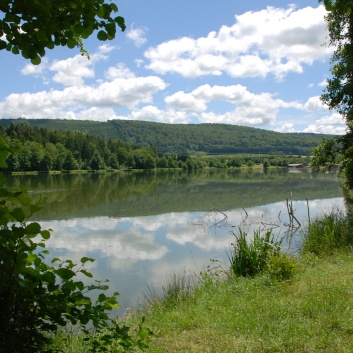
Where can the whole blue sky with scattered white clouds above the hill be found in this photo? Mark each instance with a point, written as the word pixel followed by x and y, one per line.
pixel 253 63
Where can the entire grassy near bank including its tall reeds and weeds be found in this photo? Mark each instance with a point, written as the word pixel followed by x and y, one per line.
pixel 265 301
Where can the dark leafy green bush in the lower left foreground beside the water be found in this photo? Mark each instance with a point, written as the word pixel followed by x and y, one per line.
pixel 38 298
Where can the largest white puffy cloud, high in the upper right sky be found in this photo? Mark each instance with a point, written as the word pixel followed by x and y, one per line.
pixel 272 40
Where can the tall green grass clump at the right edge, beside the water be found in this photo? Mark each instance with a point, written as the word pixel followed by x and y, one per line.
pixel 330 232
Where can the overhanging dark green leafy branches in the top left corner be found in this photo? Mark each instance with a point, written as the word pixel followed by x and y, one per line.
pixel 30 27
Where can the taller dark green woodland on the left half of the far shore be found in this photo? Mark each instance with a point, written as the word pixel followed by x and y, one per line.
pixel 43 149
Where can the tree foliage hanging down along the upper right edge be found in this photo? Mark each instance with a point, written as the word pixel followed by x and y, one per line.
pixel 338 95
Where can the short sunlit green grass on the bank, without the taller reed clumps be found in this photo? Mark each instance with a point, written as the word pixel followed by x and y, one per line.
pixel 311 313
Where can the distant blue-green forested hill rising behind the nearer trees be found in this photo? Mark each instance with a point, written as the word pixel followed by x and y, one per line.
pixel 180 138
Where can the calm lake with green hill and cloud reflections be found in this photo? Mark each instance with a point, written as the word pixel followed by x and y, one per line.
pixel 143 227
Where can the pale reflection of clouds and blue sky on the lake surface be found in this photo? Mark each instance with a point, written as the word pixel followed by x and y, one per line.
pixel 139 251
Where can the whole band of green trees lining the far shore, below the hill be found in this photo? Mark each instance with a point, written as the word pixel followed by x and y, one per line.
pixel 45 150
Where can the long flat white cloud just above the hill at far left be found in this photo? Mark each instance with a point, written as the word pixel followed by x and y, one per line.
pixel 71 101
